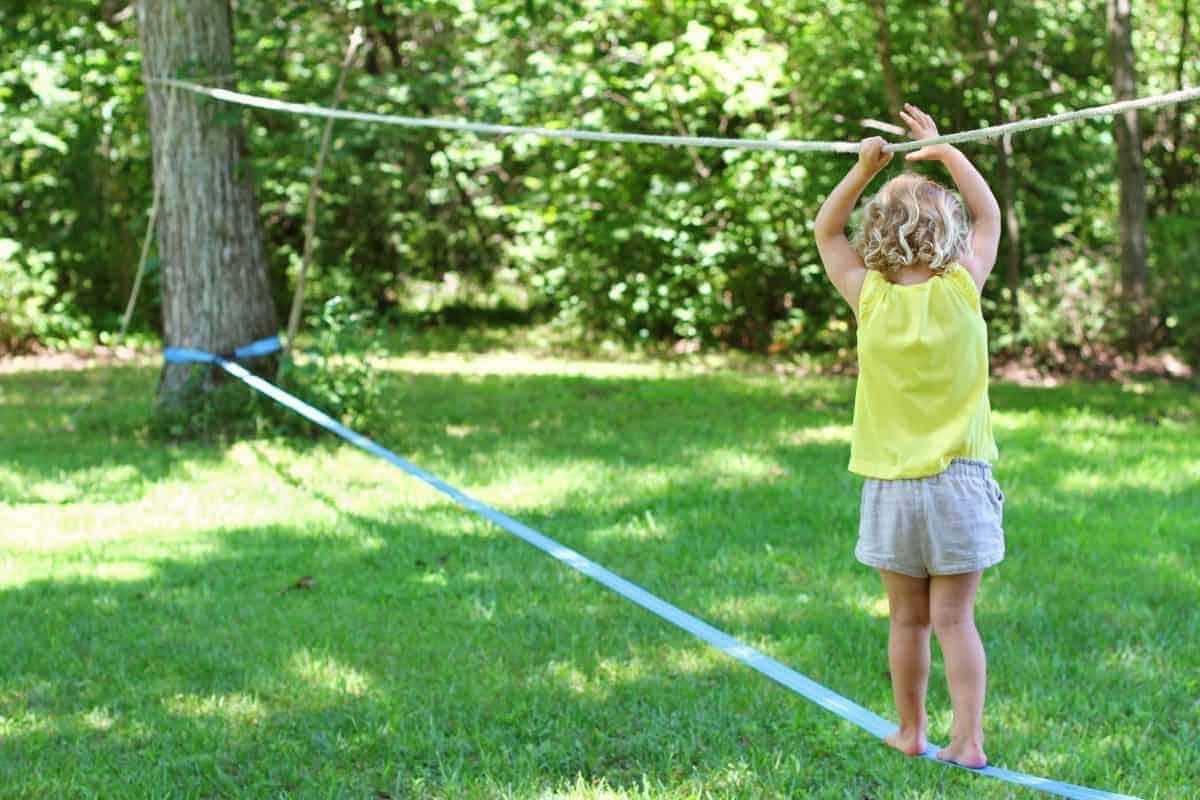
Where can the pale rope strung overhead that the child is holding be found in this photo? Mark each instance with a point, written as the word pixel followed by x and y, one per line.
pixel 266 104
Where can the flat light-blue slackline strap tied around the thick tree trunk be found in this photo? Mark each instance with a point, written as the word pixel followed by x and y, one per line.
pixel 806 687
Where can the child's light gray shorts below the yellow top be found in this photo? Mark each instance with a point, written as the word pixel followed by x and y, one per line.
pixel 943 525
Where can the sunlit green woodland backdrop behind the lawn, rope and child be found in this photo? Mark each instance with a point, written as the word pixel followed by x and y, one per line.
pixel 631 243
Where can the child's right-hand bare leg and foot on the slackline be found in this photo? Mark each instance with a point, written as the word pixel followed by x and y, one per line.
pixel 952 606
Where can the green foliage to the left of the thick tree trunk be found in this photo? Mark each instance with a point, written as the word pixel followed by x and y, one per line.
pixel 76 178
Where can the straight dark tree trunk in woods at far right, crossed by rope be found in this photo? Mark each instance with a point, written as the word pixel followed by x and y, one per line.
pixel 1131 171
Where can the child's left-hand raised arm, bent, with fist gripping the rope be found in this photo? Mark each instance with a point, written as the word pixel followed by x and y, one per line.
pixel 845 267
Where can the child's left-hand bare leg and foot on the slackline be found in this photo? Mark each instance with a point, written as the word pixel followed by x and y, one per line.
pixel 909 658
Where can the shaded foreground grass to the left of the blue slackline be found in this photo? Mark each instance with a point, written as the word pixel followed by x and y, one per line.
pixel 439 657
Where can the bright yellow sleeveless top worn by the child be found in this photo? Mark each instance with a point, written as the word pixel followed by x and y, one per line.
pixel 922 396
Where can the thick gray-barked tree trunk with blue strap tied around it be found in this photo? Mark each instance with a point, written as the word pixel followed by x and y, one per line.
pixel 215 288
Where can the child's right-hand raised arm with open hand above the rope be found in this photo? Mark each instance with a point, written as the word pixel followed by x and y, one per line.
pixel 985 210
